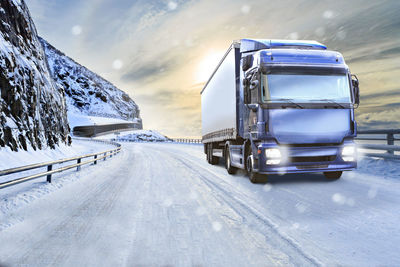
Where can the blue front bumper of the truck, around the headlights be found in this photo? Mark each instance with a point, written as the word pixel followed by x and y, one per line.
pixel 302 159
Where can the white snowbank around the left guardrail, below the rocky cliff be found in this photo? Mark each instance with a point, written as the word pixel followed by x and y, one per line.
pixel 15 197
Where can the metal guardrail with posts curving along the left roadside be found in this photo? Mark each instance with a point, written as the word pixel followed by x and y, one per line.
pixel 96 157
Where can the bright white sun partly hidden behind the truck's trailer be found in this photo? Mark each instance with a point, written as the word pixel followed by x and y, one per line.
pixel 207 66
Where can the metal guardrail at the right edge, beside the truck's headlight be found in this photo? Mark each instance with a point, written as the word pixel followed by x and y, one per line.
pixel 389 137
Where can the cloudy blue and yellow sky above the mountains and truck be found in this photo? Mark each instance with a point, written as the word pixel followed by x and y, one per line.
pixel 162 52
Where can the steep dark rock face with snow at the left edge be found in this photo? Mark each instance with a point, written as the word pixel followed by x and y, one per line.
pixel 33 108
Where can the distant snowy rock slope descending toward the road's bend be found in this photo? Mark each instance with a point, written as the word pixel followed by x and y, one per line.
pixel 87 92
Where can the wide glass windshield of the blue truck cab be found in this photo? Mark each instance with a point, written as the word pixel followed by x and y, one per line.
pixel 306 88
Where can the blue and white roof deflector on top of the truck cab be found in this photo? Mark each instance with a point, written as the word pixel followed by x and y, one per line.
pixel 248 45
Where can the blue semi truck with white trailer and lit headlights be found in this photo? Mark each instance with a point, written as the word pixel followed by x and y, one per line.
pixel 280 106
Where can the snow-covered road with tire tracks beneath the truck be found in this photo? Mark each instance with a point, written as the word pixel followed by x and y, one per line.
pixel 163 204
